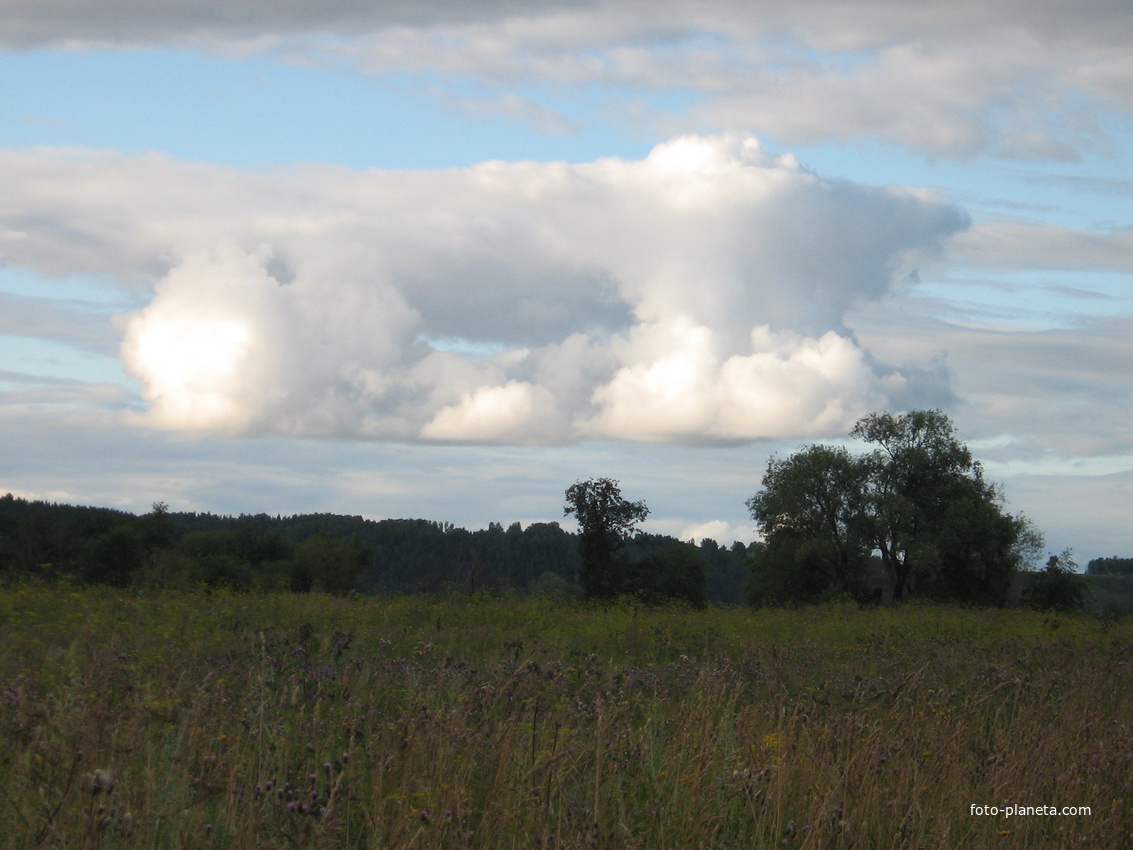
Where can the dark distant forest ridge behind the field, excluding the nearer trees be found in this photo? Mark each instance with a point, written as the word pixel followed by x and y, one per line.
pixel 316 551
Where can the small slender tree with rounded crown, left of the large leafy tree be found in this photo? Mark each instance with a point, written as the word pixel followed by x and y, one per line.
pixel 606 522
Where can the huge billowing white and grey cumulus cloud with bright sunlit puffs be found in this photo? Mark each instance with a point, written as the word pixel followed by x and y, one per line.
pixel 697 295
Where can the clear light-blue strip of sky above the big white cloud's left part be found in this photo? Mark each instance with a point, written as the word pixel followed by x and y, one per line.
pixel 253 113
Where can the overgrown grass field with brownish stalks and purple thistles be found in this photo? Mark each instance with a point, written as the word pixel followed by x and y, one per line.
pixel 240 721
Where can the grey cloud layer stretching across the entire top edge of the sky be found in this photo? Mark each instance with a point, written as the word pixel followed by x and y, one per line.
pixel 949 78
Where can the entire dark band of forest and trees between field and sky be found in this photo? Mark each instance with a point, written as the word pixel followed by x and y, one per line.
pixel 913 515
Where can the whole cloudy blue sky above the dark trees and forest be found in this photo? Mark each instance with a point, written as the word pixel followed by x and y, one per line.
pixel 444 259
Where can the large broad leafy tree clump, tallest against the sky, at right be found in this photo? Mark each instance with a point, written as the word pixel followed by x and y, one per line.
pixel 918 500
